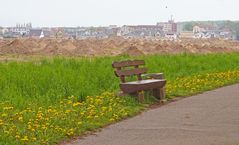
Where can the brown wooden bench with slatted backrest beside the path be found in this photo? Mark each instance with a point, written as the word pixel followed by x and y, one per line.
pixel 154 82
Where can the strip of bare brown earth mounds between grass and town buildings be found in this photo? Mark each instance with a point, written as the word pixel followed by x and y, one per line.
pixel 114 46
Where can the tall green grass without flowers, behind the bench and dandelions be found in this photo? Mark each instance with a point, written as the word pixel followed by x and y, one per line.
pixel 46 81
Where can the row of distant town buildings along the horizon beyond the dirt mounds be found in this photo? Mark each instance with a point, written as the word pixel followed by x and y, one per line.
pixel 167 30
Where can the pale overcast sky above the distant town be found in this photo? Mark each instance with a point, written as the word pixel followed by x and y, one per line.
pixel 107 12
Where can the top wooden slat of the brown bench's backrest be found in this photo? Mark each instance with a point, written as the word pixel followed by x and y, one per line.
pixel 128 63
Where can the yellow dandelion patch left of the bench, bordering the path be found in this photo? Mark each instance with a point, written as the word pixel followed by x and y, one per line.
pixel 65 119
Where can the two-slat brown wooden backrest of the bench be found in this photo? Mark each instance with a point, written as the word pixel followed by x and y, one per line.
pixel 129 68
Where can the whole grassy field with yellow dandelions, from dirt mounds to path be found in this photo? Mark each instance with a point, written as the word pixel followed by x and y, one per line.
pixel 49 100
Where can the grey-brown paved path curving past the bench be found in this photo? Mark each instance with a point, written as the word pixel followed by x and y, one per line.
pixel 211 118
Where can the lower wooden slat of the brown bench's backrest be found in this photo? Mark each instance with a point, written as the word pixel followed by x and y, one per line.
pixel 136 71
